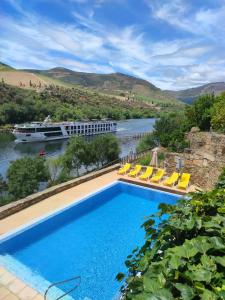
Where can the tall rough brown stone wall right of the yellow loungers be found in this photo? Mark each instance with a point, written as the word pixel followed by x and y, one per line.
pixel 204 160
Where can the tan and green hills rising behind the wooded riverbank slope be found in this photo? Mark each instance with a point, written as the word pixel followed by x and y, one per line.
pixel 120 86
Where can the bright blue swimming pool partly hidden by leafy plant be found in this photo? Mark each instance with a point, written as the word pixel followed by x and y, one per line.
pixel 90 238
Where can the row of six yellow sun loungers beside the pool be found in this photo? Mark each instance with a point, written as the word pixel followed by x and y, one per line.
pixel 182 180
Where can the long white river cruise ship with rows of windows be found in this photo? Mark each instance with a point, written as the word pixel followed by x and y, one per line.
pixel 47 130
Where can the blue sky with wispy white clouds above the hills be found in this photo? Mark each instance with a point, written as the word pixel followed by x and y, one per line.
pixel 174 44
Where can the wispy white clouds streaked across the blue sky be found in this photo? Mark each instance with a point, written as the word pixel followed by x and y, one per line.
pixel 88 46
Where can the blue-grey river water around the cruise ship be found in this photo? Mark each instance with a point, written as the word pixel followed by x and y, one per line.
pixel 9 150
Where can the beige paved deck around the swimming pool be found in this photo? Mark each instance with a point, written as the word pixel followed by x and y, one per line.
pixel 12 288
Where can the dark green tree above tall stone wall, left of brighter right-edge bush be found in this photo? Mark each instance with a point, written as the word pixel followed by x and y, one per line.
pixel 199 113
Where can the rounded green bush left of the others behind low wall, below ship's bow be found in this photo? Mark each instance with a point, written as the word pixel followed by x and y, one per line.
pixel 24 176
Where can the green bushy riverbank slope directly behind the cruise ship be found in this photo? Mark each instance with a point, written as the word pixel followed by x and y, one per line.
pixel 19 105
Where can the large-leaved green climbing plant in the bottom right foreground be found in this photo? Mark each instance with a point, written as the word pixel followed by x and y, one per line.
pixel 184 256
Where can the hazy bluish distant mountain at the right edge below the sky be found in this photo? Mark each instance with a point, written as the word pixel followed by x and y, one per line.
pixel 189 95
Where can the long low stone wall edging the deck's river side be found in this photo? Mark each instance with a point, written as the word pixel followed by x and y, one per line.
pixel 16 206
